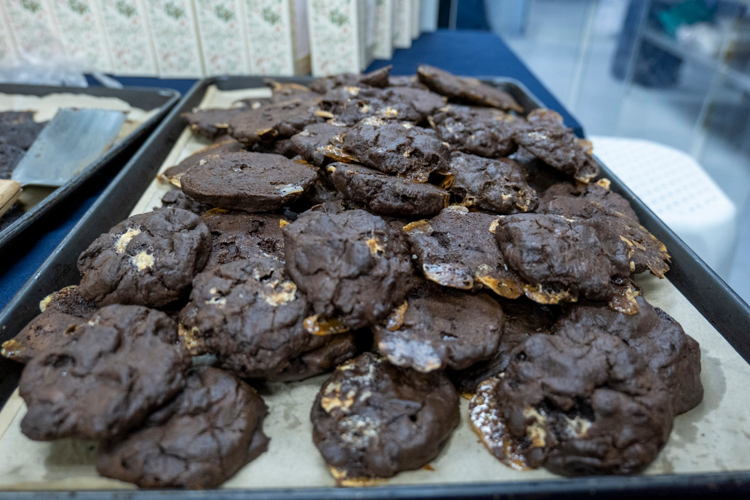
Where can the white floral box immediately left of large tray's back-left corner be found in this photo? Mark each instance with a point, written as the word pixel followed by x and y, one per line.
pixel 175 38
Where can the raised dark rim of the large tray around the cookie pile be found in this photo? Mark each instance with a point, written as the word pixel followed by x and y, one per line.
pixel 671 484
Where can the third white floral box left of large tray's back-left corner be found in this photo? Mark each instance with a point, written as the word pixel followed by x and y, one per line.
pixel 81 31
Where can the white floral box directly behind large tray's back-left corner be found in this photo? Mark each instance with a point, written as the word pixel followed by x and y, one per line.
pixel 223 38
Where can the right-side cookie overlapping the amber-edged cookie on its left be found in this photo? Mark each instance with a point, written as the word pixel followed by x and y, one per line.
pixel 563 259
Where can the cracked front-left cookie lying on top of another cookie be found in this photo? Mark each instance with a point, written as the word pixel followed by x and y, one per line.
pixel 107 378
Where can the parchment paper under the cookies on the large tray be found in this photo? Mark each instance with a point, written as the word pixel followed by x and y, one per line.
pixel 713 437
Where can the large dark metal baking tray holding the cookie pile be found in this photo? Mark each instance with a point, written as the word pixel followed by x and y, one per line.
pixel 726 312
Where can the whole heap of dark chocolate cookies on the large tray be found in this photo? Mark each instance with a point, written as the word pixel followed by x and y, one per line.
pixel 420 237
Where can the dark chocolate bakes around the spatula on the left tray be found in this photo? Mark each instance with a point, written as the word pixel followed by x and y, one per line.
pixel 18 131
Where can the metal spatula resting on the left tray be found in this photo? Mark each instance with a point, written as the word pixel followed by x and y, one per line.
pixel 73 140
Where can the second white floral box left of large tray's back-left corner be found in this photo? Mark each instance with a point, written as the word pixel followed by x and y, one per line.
pixel 128 37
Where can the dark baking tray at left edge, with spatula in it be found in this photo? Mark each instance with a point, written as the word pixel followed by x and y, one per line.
pixel 144 98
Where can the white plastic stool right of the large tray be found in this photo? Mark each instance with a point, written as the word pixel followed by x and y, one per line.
pixel 679 191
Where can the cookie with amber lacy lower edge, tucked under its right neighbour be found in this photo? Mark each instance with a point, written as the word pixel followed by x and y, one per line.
pixel 456 249
